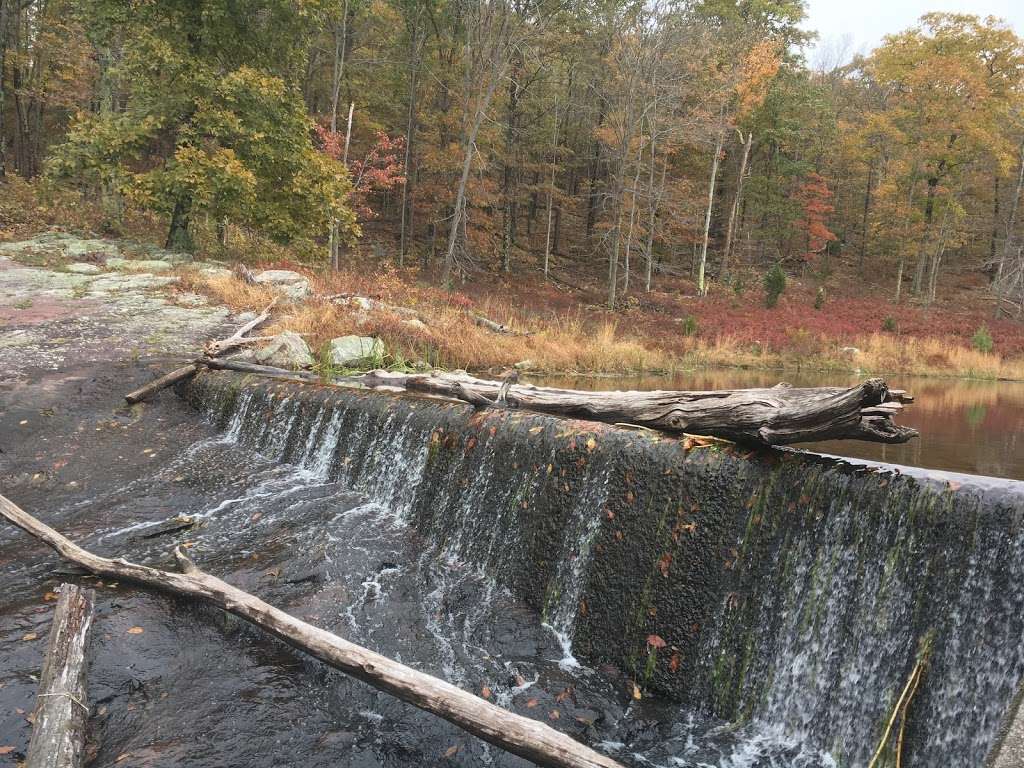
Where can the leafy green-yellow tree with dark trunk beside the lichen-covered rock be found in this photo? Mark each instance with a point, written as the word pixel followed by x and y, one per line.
pixel 203 130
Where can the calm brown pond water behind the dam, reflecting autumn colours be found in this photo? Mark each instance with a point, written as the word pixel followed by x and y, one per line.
pixel 966 426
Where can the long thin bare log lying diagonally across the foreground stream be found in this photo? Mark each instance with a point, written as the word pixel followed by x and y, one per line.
pixel 529 739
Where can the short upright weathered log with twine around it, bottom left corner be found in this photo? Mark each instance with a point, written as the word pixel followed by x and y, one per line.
pixel 59 726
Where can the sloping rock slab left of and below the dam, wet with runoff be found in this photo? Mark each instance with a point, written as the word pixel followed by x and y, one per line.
pixel 173 685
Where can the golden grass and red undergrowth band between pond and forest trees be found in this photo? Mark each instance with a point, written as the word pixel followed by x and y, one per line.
pixel 563 330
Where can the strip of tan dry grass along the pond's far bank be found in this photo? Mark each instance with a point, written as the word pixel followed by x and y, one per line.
pixel 570 343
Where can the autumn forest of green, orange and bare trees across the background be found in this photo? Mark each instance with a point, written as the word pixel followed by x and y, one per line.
pixel 632 150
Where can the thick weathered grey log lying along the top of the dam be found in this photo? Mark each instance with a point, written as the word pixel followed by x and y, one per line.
pixel 776 416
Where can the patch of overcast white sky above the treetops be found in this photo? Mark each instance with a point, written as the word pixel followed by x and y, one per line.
pixel 847 28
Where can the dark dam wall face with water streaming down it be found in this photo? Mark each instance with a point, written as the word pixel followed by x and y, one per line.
pixel 771 587
